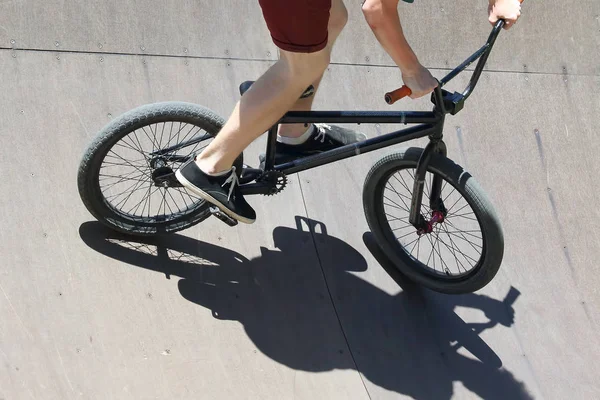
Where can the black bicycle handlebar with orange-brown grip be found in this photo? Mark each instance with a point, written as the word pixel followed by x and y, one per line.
pixel 482 54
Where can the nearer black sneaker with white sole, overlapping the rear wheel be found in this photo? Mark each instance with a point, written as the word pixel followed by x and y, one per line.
pixel 223 191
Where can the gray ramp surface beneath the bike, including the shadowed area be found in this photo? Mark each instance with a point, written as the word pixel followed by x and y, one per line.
pixel 300 304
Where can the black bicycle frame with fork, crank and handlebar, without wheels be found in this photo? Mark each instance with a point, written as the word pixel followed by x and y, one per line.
pixel 430 124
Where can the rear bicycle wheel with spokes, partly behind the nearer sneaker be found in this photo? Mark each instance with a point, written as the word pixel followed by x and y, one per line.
pixel 126 177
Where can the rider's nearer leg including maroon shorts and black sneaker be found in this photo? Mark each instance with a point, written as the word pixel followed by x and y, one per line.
pixel 299 29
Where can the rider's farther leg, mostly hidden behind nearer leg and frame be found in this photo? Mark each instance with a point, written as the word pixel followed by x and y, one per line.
pixel 338 17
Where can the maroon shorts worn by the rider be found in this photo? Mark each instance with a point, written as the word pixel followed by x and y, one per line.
pixel 299 26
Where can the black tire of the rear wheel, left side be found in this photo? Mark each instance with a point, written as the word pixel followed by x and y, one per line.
pixel 87 178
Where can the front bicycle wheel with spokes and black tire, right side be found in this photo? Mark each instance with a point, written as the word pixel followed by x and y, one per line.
pixel 462 249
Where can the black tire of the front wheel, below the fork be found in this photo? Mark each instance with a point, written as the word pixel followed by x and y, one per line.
pixel 468 187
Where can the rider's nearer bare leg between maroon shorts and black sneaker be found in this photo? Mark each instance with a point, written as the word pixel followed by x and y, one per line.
pixel 269 98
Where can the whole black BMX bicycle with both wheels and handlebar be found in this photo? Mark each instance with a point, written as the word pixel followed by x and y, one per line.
pixel 429 216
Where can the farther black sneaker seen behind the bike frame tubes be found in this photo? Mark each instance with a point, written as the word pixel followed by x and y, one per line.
pixel 323 138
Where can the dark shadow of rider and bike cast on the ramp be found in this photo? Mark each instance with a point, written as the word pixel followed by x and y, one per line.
pixel 407 342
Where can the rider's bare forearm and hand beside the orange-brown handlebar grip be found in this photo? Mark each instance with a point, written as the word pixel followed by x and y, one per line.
pixel 382 16
